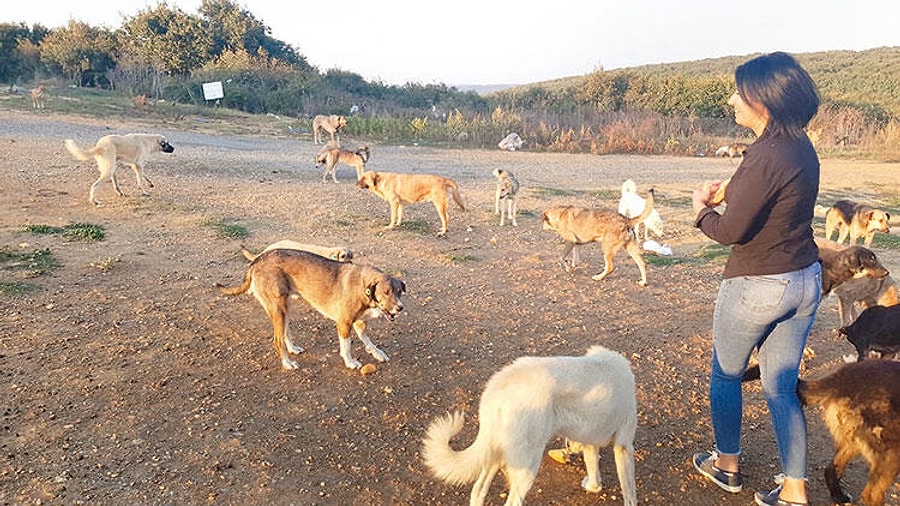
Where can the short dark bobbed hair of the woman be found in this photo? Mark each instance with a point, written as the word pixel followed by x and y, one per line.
pixel 777 82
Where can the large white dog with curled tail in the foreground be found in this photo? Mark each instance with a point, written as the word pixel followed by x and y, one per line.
pixel 589 399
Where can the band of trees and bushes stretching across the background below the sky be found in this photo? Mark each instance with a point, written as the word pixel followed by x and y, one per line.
pixel 167 54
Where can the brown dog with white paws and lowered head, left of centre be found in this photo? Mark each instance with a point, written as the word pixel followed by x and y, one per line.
pixel 346 293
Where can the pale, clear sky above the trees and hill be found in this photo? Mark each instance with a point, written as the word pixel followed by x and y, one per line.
pixel 468 42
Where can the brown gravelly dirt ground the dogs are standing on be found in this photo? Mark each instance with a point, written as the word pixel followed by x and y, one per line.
pixel 128 379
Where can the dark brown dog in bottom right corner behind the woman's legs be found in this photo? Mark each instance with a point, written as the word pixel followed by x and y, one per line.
pixel 861 406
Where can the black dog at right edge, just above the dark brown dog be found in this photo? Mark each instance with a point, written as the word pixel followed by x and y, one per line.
pixel 876 333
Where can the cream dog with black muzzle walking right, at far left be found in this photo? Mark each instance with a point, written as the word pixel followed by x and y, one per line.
pixel 131 149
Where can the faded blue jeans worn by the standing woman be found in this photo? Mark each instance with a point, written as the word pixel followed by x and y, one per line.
pixel 774 313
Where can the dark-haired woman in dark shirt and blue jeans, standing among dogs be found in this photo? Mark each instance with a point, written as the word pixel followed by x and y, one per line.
pixel 772 281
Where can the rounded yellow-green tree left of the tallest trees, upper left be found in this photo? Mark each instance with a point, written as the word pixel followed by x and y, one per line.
pixel 81 51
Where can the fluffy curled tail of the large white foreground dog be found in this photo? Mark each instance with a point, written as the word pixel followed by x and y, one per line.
pixel 447 464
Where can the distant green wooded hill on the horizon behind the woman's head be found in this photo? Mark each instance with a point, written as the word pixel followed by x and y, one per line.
pixel 861 78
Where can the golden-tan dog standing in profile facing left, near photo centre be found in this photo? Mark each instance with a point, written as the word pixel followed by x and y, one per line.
pixel 400 189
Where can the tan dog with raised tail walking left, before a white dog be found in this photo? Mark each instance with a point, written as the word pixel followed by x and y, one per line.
pixel 578 225
